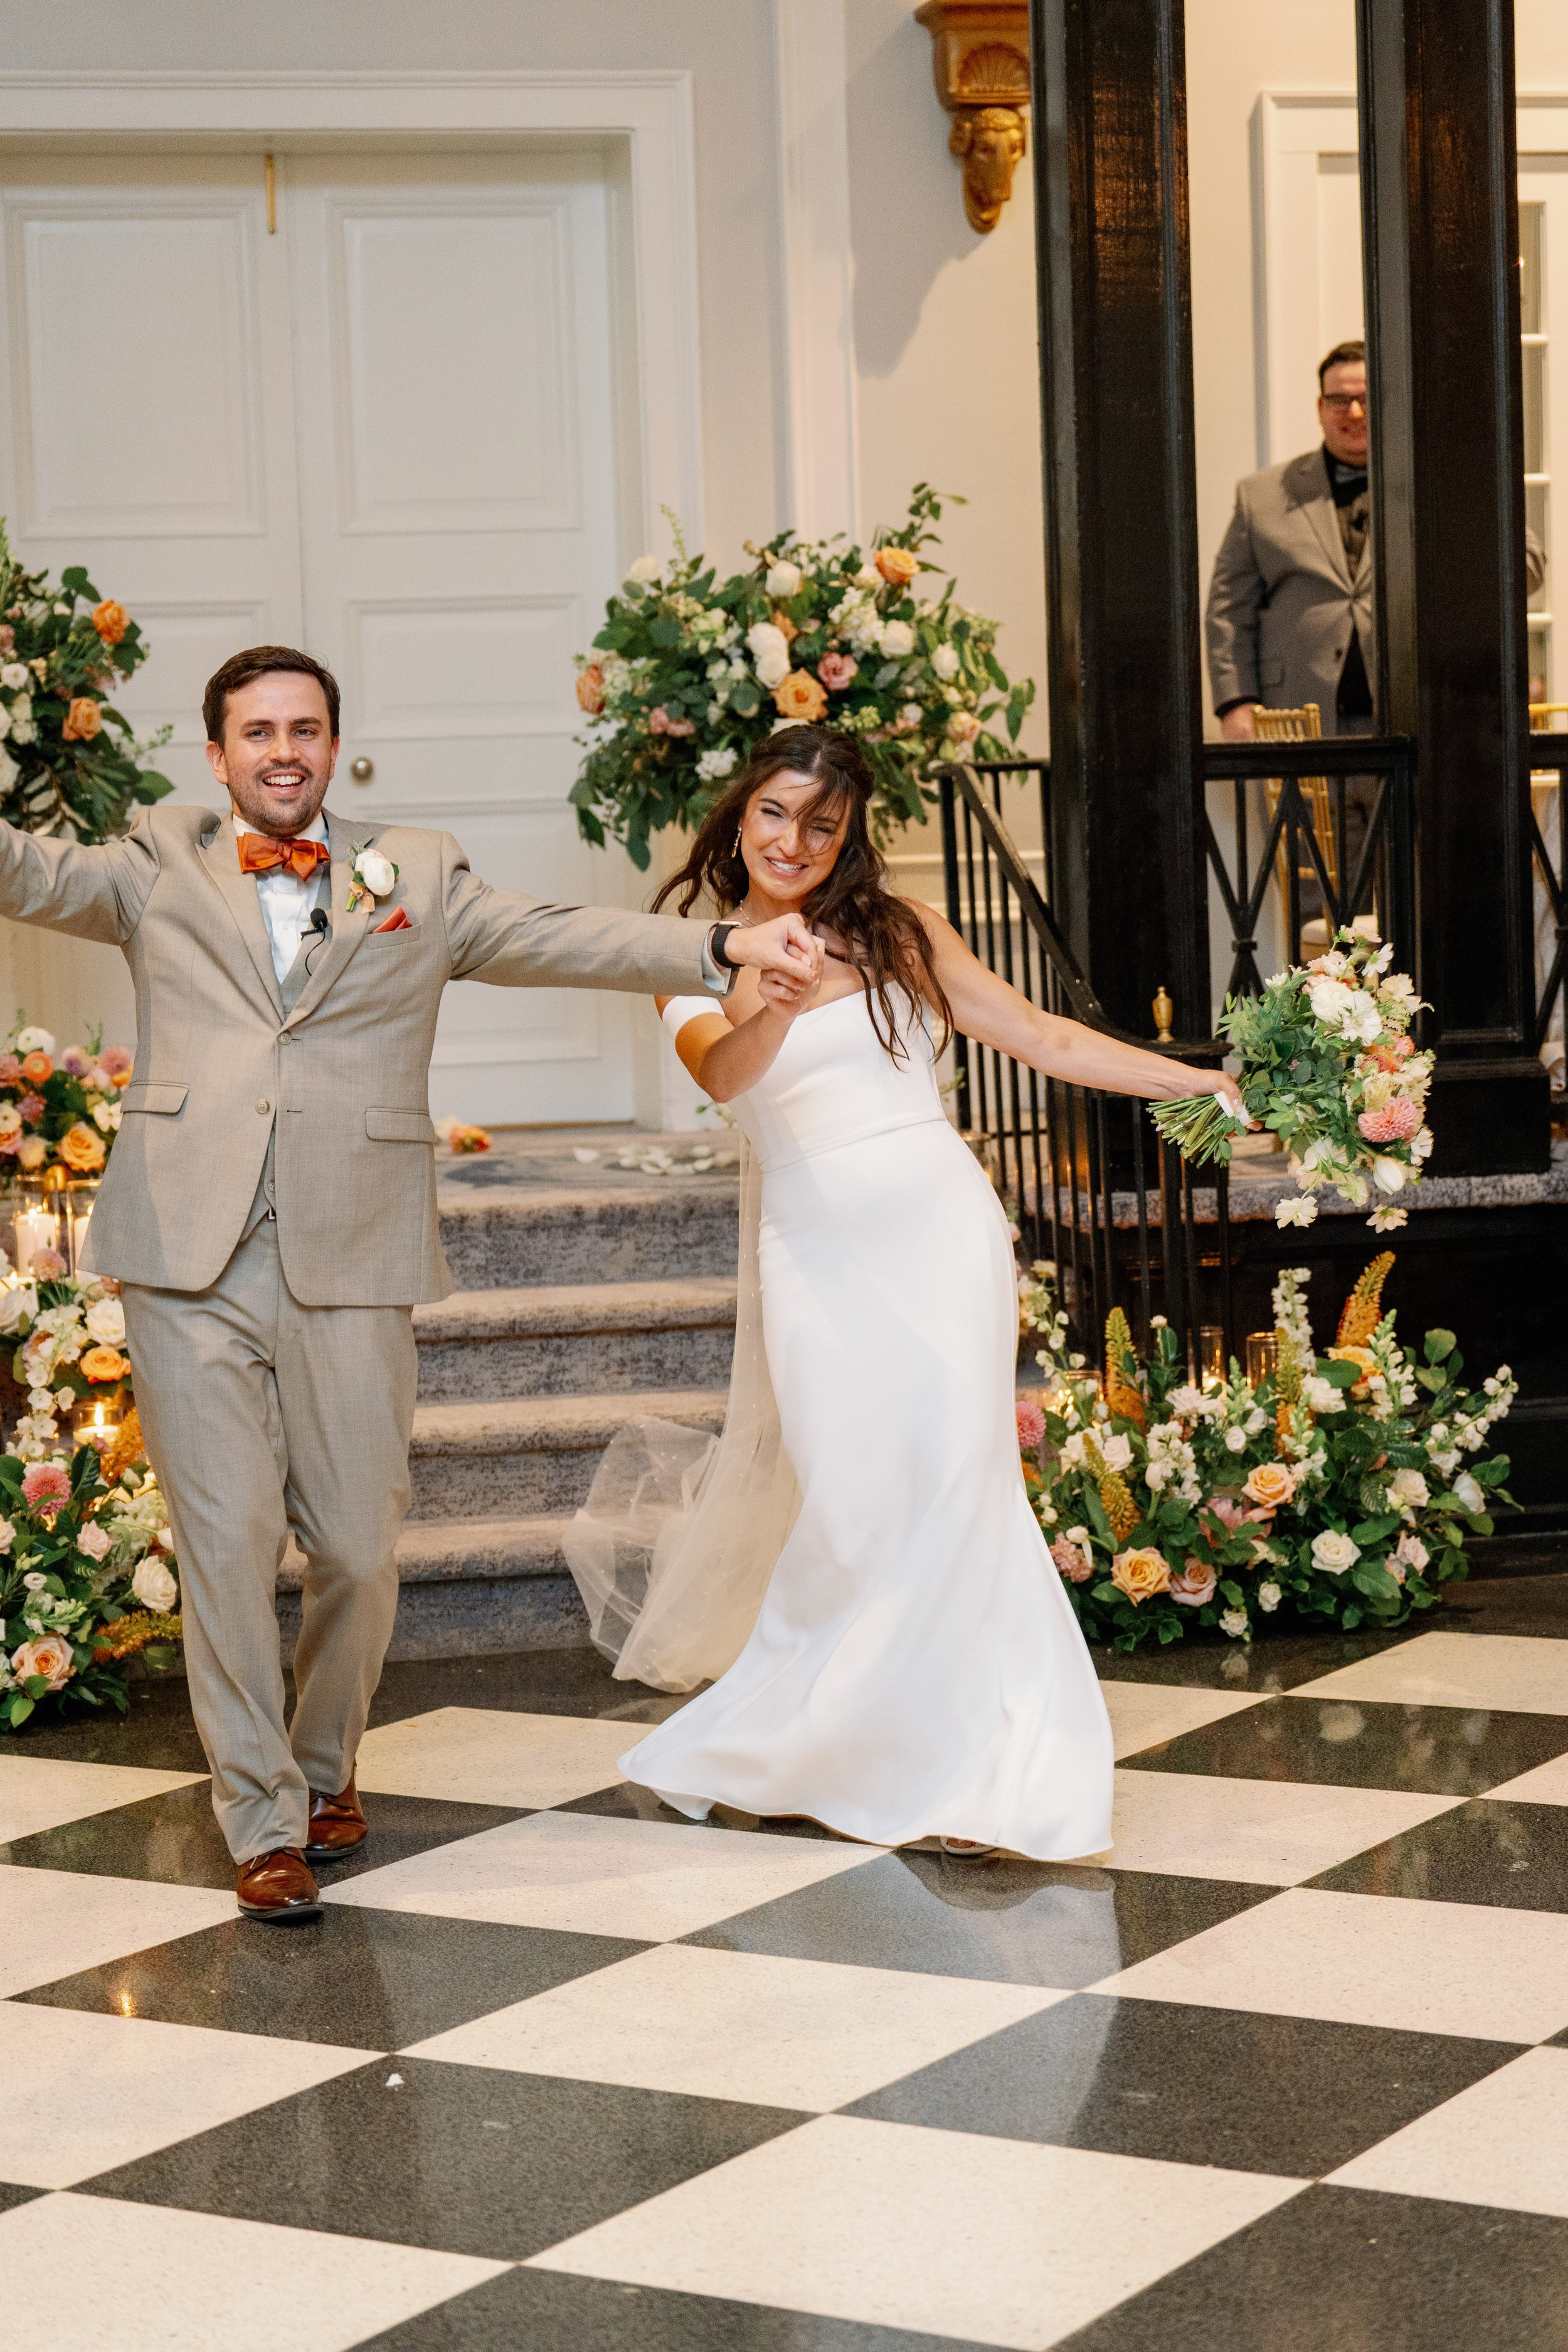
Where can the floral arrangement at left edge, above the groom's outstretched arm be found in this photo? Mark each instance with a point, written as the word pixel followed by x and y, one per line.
pixel 69 761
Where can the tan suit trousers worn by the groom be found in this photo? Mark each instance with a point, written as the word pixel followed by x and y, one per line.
pixel 267 1417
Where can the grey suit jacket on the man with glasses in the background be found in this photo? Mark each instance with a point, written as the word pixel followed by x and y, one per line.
pixel 1282 601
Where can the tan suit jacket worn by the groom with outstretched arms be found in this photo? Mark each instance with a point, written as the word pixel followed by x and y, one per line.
pixel 342 1076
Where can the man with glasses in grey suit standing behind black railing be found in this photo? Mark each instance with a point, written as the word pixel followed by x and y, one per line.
pixel 1292 599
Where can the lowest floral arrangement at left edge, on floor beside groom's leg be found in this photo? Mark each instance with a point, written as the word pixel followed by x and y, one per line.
pixel 88 1579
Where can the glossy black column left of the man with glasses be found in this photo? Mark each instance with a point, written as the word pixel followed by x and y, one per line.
pixel 1115 326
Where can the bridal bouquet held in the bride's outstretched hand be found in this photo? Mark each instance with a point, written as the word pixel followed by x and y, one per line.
pixel 1327 1062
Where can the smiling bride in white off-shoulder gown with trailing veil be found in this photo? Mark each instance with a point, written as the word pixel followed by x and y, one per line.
pixel 857 1563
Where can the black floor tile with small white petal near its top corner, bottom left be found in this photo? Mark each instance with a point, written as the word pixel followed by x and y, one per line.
pixel 469 2160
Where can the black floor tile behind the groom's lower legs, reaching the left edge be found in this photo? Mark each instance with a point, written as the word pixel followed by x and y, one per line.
pixel 177 1838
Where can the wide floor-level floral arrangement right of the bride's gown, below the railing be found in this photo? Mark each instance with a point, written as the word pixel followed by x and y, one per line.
pixel 1339 1490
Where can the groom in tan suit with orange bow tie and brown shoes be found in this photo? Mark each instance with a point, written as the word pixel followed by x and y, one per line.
pixel 269 1208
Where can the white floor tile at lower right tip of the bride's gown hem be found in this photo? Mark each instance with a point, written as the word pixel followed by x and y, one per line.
pixel 1266 1833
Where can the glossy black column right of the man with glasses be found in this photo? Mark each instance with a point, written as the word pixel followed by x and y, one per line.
pixel 1440 211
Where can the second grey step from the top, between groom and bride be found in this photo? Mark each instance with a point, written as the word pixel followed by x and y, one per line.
pixel 572 1339
